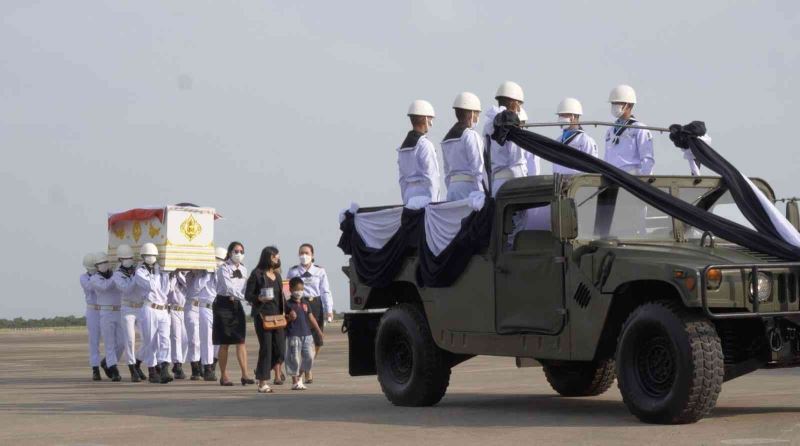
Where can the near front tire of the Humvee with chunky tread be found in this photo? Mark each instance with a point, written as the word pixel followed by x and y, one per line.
pixel 670 365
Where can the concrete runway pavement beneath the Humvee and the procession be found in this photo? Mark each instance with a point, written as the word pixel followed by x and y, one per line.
pixel 47 397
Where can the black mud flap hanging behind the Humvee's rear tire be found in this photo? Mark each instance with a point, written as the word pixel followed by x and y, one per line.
pixel 361 329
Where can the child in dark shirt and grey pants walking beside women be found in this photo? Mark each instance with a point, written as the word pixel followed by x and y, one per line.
pixel 300 354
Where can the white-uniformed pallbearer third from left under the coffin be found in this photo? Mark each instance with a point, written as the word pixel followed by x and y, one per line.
pixel 131 310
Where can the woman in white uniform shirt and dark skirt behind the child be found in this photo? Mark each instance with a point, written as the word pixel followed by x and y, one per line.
pixel 316 293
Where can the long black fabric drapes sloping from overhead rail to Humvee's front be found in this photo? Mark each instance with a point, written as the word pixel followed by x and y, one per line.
pixel 507 128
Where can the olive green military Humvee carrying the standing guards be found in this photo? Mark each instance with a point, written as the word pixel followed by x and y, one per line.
pixel 613 290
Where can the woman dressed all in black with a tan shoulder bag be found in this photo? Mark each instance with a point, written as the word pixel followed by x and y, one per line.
pixel 265 294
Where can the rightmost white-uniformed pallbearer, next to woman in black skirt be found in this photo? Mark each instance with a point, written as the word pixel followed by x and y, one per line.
pixel 203 289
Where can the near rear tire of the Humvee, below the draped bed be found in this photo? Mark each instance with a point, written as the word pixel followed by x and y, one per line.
pixel 411 368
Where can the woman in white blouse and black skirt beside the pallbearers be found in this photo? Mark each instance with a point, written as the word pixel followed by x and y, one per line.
pixel 229 323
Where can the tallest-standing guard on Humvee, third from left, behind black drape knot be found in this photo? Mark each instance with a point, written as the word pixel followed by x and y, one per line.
pixel 508 160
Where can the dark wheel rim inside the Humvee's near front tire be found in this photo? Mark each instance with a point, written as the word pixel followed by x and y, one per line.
pixel 655 365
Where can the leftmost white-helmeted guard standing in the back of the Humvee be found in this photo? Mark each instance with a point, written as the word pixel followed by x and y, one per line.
pixel 416 157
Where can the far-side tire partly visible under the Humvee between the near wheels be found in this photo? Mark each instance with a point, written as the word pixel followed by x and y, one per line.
pixel 579 378
